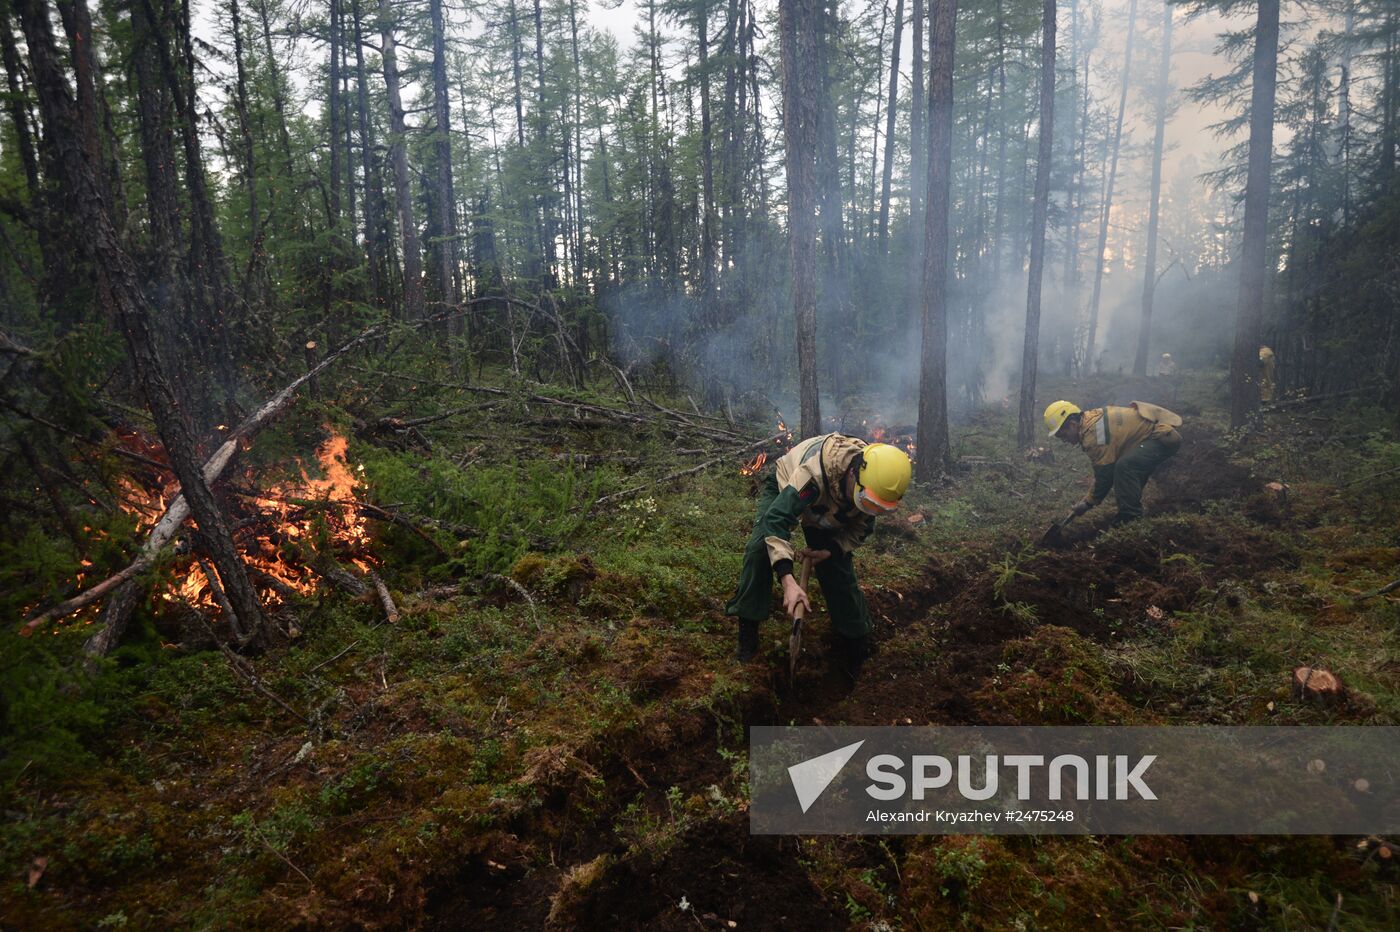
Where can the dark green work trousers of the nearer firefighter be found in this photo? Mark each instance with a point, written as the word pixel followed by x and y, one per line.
pixel 836 574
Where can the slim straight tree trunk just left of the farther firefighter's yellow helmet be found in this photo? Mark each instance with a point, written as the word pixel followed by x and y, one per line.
pixel 1028 421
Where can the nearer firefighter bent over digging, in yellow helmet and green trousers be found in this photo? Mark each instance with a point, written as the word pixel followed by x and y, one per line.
pixel 835 486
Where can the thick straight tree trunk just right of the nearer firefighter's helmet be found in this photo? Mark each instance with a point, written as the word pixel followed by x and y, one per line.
pixel 933 374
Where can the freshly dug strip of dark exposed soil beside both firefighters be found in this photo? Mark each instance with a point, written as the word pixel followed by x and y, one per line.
pixel 940 649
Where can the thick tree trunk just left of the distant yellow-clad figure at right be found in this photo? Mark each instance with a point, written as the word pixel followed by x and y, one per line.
pixel 1254 261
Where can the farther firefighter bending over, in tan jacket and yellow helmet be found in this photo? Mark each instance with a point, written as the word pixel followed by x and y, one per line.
pixel 1126 446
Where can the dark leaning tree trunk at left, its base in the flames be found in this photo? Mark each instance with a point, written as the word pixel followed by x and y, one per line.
pixel 104 250
